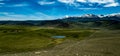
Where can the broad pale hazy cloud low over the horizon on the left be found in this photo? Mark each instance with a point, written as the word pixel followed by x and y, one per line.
pixel 35 16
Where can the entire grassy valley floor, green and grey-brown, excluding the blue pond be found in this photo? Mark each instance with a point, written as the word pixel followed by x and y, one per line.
pixel 77 43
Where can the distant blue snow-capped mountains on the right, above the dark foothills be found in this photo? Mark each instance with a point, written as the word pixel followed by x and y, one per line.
pixel 92 17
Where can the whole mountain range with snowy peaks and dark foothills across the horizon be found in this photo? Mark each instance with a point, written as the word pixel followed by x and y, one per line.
pixel 85 21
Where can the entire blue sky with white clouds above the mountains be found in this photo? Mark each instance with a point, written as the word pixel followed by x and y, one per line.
pixel 54 9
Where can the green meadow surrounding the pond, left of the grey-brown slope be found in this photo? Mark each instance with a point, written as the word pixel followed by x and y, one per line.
pixel 14 39
